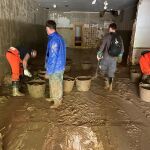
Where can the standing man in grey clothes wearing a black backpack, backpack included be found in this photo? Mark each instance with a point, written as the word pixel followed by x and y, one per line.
pixel 111 49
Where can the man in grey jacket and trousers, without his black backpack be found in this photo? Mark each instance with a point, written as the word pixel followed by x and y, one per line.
pixel 108 62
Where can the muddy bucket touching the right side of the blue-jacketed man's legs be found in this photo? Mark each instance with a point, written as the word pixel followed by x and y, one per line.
pixel 68 84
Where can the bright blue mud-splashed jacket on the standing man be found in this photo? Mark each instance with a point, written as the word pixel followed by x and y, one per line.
pixel 55 60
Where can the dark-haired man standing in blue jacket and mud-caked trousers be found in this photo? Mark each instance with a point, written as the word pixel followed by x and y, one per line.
pixel 55 62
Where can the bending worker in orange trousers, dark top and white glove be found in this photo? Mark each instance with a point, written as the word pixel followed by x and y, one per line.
pixel 18 57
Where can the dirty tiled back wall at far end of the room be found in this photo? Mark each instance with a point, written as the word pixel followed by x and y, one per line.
pixel 66 22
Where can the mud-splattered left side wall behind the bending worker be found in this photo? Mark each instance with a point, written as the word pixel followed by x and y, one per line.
pixel 21 22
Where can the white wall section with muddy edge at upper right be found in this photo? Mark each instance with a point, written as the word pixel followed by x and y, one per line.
pixel 140 36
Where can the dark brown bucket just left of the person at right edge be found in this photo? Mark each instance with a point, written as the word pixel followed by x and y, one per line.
pixel 135 75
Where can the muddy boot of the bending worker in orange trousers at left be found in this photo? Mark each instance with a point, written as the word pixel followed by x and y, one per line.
pixel 15 87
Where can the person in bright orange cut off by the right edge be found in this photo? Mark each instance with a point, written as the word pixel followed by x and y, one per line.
pixel 145 63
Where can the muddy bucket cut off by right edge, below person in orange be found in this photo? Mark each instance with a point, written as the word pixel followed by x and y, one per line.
pixel 144 89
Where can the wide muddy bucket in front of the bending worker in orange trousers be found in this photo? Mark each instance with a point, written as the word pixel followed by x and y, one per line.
pixel 36 88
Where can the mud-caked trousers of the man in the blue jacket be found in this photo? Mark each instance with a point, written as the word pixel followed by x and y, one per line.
pixel 56 86
